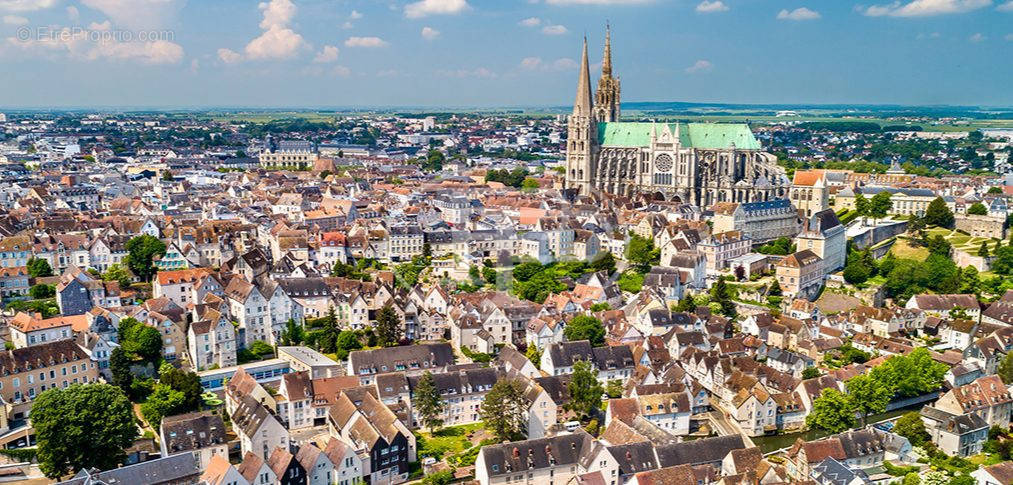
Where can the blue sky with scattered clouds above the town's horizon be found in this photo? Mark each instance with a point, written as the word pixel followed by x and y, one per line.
pixel 501 53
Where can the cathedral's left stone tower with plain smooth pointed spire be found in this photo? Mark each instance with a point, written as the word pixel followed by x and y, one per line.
pixel 582 133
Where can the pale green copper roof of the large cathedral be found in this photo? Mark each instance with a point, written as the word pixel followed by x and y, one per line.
pixel 695 135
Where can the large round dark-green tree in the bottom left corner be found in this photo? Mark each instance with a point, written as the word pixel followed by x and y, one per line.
pixel 84 426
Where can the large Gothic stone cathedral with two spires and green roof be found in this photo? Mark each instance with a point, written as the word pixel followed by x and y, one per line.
pixel 693 164
